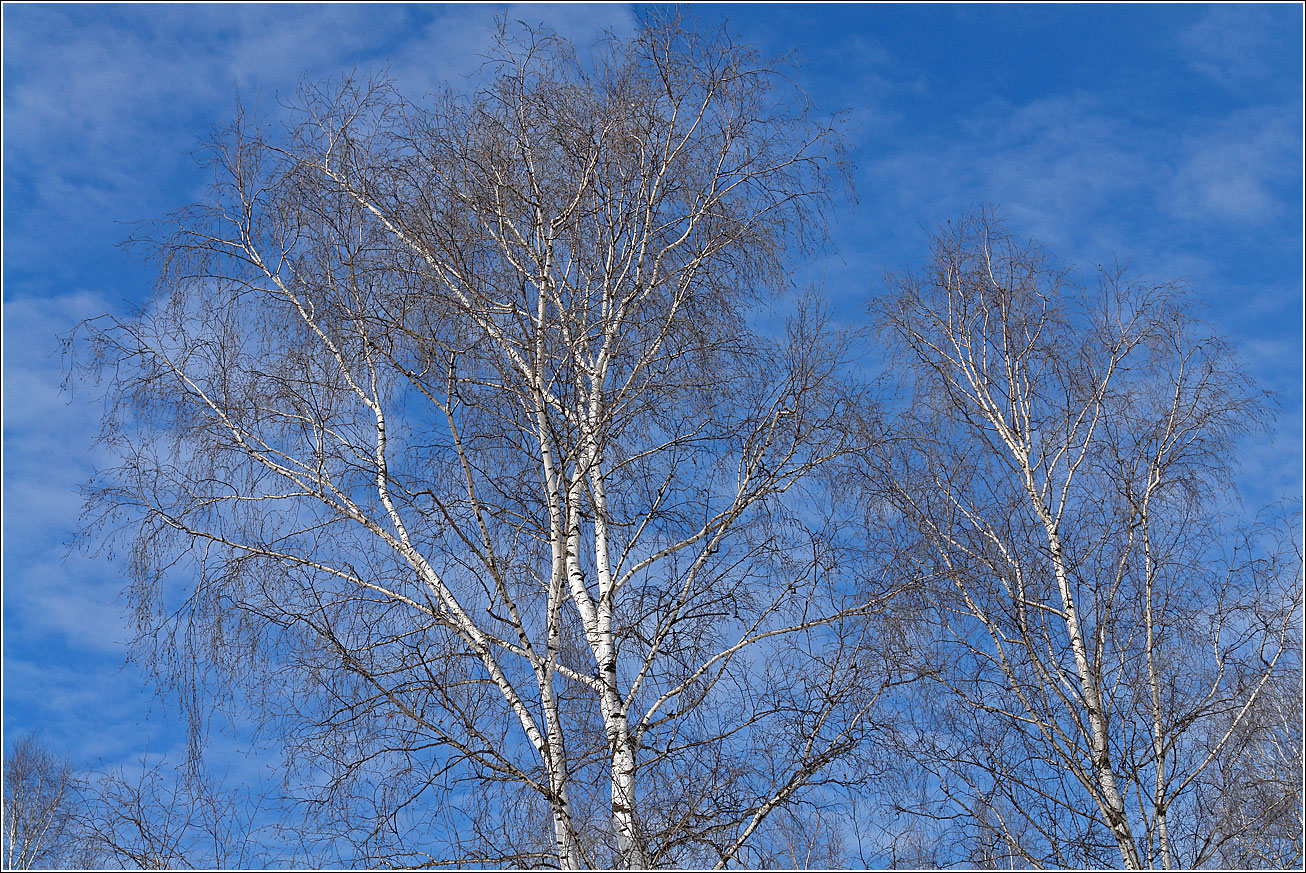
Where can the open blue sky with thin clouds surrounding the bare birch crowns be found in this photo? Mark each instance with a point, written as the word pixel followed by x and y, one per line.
pixel 1162 134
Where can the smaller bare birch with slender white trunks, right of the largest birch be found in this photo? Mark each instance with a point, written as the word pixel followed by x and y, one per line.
pixel 1095 644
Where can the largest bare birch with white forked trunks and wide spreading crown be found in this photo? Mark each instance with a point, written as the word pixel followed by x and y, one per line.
pixel 451 441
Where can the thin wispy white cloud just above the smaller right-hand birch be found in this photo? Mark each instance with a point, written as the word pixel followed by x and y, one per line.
pixel 1094 181
